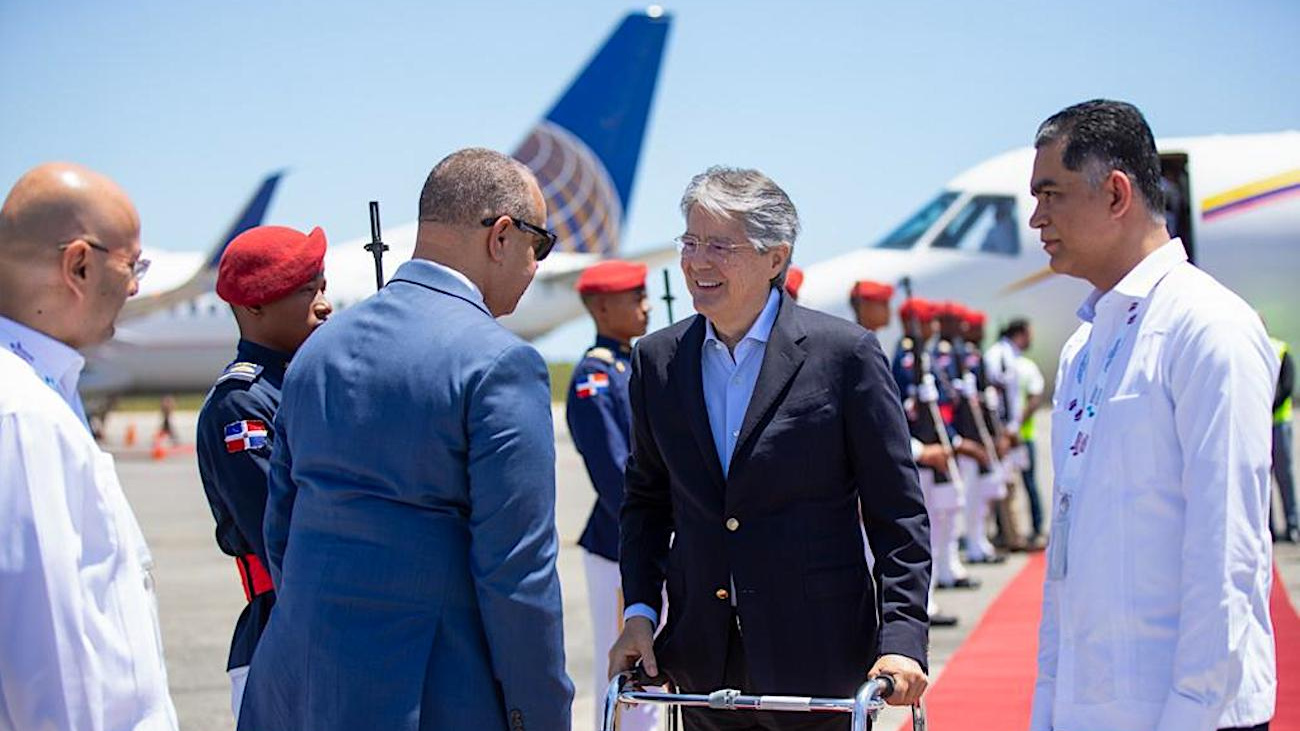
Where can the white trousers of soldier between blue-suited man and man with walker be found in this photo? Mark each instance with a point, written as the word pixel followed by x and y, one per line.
pixel 605 600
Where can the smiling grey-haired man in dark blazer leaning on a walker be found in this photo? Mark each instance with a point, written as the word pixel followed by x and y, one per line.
pixel 765 438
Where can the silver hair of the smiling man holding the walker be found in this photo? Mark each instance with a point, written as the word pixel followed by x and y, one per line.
pixel 761 206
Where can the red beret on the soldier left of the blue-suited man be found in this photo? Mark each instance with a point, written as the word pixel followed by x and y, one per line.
pixel 266 263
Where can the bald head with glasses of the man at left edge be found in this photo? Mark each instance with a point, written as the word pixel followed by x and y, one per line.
pixel 68 241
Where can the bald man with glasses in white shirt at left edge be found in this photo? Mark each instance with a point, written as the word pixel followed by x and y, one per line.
pixel 80 642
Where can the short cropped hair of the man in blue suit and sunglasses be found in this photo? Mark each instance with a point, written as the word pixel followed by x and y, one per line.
pixel 474 184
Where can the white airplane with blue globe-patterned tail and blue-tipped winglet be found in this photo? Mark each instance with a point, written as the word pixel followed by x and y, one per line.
pixel 176 335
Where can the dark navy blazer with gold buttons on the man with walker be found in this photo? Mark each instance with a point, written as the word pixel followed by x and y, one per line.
pixel 825 436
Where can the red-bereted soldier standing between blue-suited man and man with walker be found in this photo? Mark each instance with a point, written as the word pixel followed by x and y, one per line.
pixel 600 421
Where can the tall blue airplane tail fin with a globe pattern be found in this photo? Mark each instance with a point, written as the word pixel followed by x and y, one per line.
pixel 586 150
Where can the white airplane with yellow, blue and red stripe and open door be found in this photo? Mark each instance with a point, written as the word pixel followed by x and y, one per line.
pixel 1236 204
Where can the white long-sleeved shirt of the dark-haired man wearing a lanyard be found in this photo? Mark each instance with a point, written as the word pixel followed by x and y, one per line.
pixel 1156 607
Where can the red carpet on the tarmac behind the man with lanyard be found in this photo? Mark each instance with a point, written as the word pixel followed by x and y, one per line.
pixel 989 684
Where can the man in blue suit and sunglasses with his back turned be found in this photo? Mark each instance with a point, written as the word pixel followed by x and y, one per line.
pixel 411 513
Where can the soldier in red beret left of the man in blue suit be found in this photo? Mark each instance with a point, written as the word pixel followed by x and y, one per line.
pixel 274 280
